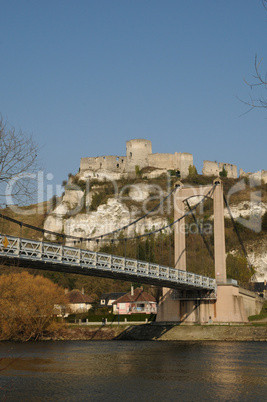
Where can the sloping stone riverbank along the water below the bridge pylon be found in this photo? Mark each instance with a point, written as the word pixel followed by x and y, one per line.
pixel 166 332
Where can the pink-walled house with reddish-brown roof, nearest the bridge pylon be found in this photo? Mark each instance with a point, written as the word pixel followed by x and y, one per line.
pixel 136 301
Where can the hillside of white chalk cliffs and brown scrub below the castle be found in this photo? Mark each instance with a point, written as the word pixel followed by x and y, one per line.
pixel 102 207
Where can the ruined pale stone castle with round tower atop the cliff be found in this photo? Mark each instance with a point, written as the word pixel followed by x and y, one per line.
pixel 139 155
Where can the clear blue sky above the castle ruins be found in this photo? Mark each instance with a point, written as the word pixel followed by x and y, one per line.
pixel 83 77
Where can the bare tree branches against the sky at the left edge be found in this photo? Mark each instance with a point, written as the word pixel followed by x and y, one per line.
pixel 18 163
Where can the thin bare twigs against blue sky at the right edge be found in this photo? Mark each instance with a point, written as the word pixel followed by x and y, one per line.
pixel 259 84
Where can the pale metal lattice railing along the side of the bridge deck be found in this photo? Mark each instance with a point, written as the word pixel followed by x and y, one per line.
pixel 35 250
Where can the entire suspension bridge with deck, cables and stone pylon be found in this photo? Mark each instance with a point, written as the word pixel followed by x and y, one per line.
pixel 190 287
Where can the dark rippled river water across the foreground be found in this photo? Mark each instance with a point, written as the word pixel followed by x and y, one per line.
pixel 133 371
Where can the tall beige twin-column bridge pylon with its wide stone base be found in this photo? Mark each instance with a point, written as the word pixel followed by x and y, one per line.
pixel 230 304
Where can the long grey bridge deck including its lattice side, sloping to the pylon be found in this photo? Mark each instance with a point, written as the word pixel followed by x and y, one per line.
pixel 55 257
